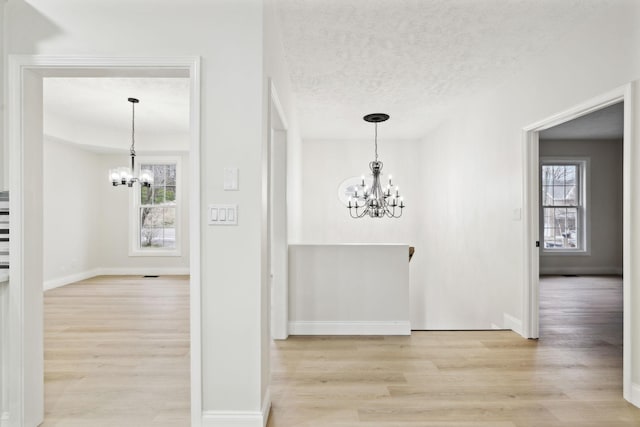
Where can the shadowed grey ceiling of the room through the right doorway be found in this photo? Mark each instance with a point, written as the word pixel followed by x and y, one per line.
pixel 607 123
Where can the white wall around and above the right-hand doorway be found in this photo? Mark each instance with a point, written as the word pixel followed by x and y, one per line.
pixel 472 190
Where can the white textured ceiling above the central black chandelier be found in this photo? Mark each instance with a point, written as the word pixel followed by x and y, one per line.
pixel 410 58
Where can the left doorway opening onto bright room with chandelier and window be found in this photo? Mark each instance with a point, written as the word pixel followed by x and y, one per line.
pixel 110 333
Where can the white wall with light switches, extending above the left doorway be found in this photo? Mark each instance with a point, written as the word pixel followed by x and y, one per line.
pixel 228 36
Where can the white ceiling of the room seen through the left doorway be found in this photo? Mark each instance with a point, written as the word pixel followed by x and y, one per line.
pixel 94 112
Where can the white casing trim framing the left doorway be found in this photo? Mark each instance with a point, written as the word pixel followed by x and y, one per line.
pixel 24 361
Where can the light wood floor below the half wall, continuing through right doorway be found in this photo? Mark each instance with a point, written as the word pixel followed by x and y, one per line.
pixel 572 376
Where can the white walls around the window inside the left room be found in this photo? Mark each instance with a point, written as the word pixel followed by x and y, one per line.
pixel 86 220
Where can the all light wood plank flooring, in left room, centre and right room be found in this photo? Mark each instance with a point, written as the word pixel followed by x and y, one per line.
pixel 116 354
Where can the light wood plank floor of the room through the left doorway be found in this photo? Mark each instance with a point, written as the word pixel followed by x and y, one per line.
pixel 117 353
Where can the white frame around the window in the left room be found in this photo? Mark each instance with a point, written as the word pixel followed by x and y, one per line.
pixel 134 210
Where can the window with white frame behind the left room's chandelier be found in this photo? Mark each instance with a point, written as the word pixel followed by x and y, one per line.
pixel 156 211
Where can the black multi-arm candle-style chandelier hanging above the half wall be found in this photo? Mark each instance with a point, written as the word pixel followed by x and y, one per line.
pixel 373 200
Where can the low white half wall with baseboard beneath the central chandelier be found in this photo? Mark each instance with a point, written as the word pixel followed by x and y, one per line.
pixel 327 285
